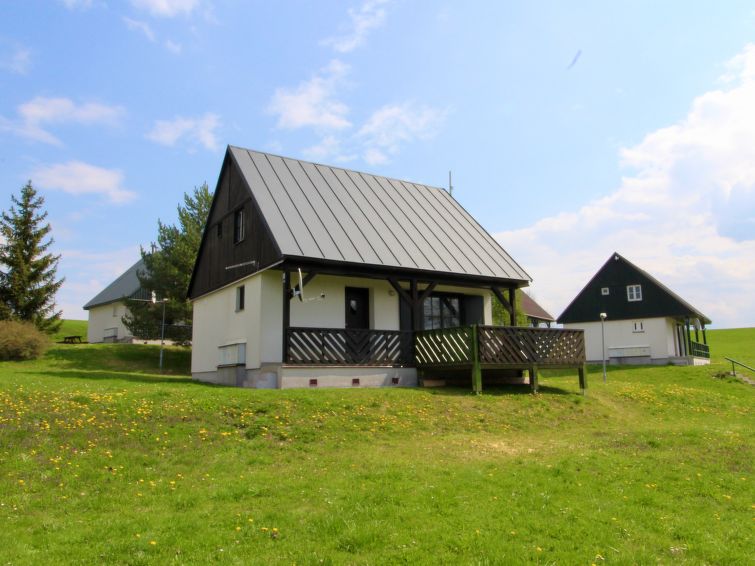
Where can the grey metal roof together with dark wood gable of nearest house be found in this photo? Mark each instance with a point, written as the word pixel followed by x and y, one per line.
pixel 303 214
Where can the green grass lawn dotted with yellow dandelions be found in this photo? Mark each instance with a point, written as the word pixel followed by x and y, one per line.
pixel 105 461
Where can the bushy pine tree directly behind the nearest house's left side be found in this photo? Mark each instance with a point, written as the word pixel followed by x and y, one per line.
pixel 168 267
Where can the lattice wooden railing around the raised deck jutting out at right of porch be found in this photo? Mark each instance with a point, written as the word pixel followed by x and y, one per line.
pixel 500 346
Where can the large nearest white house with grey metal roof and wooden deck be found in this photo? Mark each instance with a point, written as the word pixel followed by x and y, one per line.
pixel 311 275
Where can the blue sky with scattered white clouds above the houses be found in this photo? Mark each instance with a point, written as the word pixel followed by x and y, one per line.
pixel 573 129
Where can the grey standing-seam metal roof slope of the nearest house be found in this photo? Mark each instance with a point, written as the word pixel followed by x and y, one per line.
pixel 328 213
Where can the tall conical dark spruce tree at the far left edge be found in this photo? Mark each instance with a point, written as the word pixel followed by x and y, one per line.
pixel 27 272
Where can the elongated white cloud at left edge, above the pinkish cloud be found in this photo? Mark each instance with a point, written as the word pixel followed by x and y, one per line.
pixel 33 116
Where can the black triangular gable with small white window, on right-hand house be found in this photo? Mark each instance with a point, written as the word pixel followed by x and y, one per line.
pixel 613 278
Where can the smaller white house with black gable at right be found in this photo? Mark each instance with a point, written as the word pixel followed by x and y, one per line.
pixel 645 321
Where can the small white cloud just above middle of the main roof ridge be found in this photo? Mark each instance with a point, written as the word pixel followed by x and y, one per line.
pixel 393 125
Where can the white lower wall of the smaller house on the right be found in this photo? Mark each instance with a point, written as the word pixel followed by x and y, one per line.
pixel 657 334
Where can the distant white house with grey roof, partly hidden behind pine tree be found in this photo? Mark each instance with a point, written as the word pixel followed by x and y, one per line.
pixel 108 307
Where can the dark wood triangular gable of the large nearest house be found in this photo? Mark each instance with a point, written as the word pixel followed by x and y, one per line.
pixel 221 259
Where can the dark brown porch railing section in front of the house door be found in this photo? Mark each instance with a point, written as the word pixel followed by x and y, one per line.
pixel 341 346
